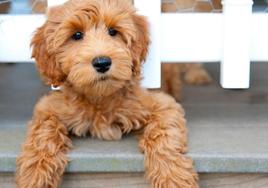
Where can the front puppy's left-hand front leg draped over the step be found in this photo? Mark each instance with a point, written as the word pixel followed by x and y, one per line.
pixel 43 158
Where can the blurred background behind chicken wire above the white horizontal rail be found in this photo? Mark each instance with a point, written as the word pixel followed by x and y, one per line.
pixel 38 6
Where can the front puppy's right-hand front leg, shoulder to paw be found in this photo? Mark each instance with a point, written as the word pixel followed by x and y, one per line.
pixel 164 142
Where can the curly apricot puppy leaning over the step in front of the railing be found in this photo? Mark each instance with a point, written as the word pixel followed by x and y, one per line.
pixel 94 50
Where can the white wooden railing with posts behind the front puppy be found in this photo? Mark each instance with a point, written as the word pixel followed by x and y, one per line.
pixel 234 38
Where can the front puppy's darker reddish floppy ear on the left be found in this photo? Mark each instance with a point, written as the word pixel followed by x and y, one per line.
pixel 45 57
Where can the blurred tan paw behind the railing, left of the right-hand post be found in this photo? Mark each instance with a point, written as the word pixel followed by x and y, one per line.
pixel 197 77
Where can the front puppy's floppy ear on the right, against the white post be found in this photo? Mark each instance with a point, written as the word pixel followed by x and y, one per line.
pixel 141 43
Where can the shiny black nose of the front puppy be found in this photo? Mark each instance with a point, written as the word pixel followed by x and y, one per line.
pixel 102 64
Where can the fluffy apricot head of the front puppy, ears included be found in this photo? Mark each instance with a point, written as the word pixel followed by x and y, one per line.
pixel 97 46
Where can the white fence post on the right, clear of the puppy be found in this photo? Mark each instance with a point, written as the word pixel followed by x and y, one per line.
pixel 235 65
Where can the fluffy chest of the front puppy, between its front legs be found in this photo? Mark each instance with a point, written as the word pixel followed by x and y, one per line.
pixel 97 119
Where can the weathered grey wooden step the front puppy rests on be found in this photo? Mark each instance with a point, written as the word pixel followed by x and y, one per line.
pixel 227 128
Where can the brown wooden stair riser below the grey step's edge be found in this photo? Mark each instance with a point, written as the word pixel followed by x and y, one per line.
pixel 136 180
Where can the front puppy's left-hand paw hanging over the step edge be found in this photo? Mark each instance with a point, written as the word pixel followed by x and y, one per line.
pixel 35 170
